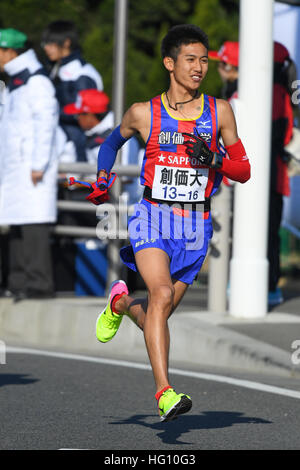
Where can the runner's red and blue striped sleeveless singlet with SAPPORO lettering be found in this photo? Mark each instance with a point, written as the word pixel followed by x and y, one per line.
pixel 167 170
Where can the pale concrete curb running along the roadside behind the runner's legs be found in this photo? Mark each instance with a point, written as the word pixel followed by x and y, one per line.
pixel 70 326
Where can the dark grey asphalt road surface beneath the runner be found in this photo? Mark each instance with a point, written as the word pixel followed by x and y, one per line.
pixel 58 403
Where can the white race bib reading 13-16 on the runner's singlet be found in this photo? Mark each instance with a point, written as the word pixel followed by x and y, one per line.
pixel 180 184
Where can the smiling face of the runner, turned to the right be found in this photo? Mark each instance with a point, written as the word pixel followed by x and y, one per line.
pixel 191 65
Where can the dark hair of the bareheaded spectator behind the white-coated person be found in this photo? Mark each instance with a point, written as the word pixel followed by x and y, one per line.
pixel 58 31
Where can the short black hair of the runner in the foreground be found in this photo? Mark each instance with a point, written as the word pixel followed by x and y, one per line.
pixel 179 35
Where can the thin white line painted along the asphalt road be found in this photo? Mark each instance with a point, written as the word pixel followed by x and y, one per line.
pixel 135 365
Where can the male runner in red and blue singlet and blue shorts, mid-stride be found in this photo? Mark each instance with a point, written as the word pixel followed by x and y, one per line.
pixel 183 163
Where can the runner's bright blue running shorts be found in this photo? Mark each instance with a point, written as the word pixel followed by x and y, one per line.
pixel 184 236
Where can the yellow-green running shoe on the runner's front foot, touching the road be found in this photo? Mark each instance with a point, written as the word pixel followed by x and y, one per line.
pixel 171 404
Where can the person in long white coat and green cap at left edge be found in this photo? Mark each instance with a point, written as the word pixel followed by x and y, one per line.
pixel 28 166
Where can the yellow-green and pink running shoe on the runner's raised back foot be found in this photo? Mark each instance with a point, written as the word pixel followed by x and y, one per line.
pixel 108 322
